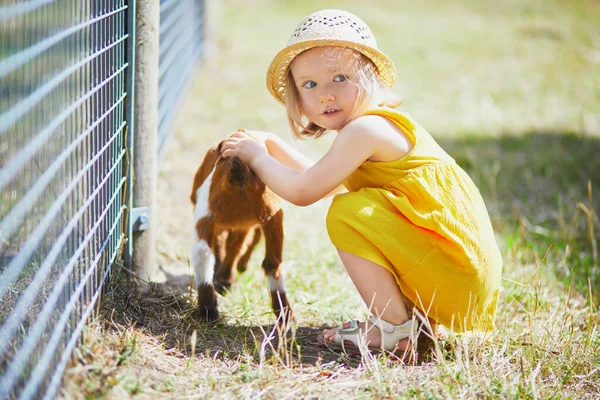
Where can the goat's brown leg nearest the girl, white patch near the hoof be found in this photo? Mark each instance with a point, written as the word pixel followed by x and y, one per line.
pixel 273 231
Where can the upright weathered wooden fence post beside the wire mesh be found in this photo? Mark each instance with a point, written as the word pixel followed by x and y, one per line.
pixel 143 215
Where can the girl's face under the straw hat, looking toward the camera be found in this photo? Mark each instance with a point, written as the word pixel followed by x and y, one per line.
pixel 323 77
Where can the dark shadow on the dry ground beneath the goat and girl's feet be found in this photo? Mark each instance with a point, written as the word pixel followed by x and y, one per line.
pixel 171 317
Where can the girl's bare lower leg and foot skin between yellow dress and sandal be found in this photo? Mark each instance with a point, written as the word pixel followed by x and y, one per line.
pixel 379 290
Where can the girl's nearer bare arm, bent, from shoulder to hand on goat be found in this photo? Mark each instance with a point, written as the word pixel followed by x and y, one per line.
pixel 349 150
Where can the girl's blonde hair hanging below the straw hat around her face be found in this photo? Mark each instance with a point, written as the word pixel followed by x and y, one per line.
pixel 370 92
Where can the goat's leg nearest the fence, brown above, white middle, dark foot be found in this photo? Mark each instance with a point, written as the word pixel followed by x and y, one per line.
pixel 203 262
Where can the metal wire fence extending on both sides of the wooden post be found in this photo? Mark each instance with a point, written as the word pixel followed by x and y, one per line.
pixel 65 135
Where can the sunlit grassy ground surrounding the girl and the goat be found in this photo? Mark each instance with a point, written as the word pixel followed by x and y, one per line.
pixel 509 89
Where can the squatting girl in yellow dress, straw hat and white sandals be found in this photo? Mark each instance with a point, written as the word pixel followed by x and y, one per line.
pixel 412 231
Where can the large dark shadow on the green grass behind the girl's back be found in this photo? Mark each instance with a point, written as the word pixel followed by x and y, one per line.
pixel 542 190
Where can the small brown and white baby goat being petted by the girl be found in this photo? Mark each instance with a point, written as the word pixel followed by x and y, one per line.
pixel 232 207
